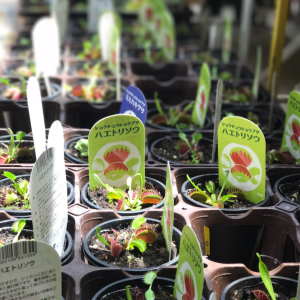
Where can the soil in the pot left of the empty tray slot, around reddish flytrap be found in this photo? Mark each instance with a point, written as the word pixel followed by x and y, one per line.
pixel 155 255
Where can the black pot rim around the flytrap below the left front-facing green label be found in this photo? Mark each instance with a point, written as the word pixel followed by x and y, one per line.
pixel 157 185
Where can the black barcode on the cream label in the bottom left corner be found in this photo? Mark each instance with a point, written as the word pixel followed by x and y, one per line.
pixel 18 249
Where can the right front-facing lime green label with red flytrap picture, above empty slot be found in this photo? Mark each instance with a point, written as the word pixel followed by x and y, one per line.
pixel 242 153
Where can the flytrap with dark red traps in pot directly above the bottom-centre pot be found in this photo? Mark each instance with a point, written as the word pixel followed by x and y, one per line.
pixel 143 234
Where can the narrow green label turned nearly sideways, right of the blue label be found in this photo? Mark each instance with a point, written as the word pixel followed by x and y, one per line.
pixel 202 98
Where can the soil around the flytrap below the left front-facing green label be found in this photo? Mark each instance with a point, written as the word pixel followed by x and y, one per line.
pixel 98 197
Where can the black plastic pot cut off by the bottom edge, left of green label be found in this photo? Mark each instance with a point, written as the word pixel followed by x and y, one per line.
pixel 118 286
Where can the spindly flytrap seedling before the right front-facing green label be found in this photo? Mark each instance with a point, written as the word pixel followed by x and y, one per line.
pixel 210 197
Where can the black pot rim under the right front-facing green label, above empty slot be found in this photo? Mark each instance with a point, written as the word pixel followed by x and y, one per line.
pixel 206 177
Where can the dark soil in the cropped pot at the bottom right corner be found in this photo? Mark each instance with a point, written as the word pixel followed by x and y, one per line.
pixel 246 292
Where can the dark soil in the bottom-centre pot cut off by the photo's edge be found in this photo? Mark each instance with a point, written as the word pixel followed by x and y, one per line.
pixel 161 293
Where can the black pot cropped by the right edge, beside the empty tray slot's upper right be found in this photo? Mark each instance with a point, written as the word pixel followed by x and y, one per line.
pixel 287 186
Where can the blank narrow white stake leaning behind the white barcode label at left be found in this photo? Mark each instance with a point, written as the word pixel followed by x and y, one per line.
pixel 36 116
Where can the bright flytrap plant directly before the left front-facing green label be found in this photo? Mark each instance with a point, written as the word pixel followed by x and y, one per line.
pixel 132 199
